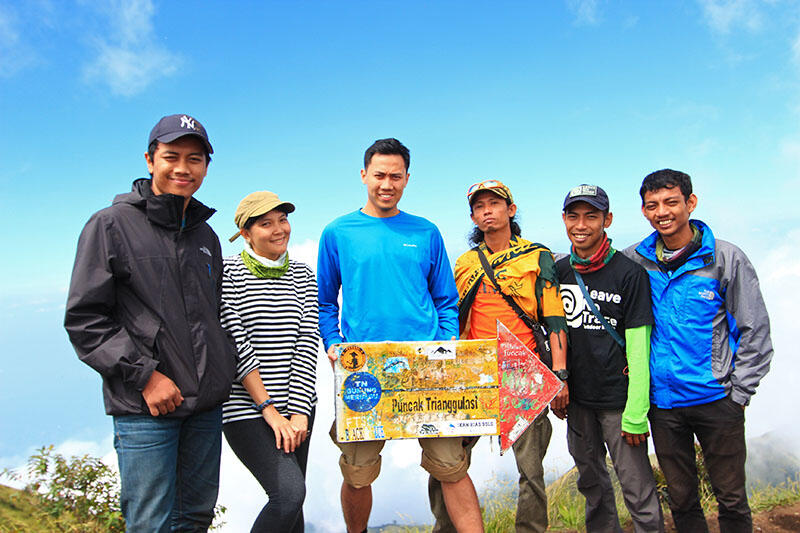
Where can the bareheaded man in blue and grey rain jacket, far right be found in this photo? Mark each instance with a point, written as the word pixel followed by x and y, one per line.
pixel 709 350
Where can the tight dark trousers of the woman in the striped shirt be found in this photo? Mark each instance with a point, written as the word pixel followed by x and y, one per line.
pixel 282 475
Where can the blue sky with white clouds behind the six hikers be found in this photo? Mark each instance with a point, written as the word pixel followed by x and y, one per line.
pixel 542 95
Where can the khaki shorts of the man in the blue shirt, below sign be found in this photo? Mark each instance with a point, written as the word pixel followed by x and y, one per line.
pixel 444 458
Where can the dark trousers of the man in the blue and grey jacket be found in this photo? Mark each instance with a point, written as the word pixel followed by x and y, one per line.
pixel 719 427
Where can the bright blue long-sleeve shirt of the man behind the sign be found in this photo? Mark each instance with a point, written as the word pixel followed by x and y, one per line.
pixel 395 280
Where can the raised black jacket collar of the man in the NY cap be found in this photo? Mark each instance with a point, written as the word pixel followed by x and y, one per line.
pixel 165 210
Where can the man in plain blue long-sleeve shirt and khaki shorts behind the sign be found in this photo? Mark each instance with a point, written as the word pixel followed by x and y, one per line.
pixel 396 284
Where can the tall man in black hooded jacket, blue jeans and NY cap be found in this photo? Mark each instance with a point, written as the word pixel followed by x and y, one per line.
pixel 143 311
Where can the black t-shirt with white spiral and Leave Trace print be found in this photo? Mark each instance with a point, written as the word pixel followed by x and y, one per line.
pixel 598 367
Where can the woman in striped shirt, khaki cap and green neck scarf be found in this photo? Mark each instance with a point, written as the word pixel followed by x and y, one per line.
pixel 269 305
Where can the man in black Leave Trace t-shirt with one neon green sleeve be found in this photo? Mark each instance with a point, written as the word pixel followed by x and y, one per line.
pixel 610 320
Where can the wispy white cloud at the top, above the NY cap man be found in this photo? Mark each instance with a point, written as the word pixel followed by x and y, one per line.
pixel 129 57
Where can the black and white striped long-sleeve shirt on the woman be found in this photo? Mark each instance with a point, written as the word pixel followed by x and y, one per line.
pixel 274 323
